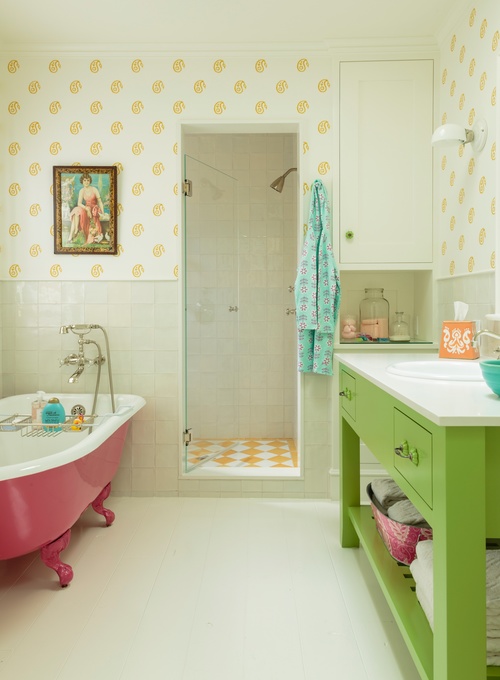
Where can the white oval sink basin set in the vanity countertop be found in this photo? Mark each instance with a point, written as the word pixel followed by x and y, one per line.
pixel 439 369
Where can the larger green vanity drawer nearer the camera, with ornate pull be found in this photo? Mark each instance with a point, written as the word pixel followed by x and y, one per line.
pixel 413 454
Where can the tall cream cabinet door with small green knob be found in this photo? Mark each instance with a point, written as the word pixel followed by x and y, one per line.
pixel 386 119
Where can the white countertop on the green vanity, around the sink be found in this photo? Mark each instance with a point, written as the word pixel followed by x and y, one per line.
pixel 442 402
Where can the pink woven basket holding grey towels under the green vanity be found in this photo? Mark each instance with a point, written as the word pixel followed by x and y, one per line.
pixel 399 539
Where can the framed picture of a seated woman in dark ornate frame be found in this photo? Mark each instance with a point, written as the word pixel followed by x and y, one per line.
pixel 85 210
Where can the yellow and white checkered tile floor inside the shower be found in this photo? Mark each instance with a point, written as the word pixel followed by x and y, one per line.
pixel 261 453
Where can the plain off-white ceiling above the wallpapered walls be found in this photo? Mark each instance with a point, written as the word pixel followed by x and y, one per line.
pixel 198 24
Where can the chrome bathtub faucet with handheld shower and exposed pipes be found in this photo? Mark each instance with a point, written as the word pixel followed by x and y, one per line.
pixel 80 360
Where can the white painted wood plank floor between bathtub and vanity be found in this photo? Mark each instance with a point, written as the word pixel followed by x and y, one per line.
pixel 201 589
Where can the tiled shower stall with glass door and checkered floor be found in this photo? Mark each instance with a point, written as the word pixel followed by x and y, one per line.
pixel 240 255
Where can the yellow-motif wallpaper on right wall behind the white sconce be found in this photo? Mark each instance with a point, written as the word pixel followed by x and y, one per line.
pixel 466 180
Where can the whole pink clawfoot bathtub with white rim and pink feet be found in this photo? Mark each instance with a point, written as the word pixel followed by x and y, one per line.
pixel 47 479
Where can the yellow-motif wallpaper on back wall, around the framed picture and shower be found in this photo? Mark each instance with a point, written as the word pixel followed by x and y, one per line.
pixel 125 111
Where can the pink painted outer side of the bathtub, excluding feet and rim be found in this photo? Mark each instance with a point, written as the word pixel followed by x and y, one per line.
pixel 38 508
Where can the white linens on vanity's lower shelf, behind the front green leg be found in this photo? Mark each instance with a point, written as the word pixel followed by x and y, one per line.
pixel 422 571
